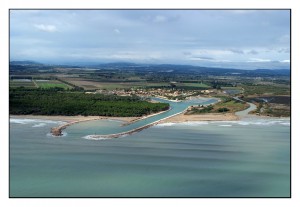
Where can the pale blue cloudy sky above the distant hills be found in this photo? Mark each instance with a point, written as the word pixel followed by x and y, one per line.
pixel 220 38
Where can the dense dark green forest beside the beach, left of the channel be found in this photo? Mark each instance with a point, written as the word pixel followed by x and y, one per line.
pixel 53 102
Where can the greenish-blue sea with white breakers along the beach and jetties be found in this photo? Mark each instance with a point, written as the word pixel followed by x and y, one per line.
pixel 245 158
